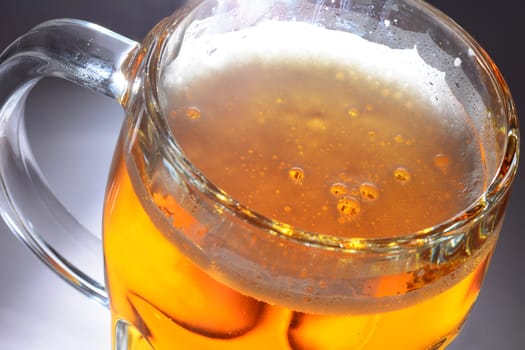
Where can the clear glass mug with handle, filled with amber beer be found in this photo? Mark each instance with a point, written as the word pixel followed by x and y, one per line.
pixel 292 174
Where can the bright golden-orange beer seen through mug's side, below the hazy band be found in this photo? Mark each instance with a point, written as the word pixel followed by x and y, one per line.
pixel 175 304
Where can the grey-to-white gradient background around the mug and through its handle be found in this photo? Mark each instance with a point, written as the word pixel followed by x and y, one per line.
pixel 73 132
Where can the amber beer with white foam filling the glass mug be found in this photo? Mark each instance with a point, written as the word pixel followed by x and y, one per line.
pixel 367 142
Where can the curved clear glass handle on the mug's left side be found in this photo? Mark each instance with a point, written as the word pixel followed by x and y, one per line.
pixel 92 57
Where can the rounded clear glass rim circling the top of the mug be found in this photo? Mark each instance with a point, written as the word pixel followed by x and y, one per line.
pixel 493 194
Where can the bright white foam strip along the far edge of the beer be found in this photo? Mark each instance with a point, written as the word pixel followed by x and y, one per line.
pixel 201 56
